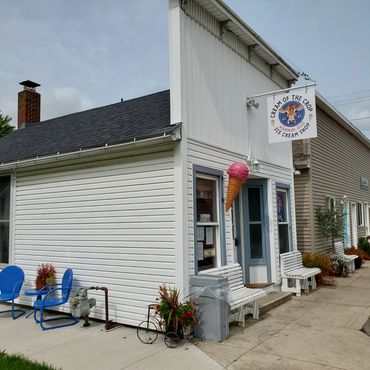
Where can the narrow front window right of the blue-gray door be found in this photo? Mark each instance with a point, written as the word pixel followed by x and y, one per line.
pixel 283 217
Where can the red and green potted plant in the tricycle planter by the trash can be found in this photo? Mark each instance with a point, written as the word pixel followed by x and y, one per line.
pixel 176 317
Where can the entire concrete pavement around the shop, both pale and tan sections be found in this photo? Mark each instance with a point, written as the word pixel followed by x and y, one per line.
pixel 317 331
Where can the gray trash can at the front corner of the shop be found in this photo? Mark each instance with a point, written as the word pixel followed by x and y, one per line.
pixel 210 294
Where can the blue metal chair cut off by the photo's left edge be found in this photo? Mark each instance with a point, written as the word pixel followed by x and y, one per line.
pixel 11 281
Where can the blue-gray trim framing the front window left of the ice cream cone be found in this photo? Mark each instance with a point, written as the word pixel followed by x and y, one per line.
pixel 207 172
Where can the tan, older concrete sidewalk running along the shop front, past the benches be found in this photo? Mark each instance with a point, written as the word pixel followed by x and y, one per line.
pixel 317 331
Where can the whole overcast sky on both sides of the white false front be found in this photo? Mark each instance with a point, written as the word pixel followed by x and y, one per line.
pixel 89 53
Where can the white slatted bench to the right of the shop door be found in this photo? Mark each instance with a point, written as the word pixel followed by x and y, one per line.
pixel 292 269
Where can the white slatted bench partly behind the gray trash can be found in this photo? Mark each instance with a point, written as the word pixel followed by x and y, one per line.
pixel 239 295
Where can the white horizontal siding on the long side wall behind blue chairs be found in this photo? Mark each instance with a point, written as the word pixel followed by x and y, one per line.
pixel 113 224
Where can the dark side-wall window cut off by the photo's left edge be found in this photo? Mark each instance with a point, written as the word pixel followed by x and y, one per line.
pixel 4 218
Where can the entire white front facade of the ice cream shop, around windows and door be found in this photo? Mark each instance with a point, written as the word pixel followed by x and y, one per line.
pixel 212 73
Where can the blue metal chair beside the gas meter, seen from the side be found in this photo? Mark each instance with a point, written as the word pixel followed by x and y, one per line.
pixel 49 300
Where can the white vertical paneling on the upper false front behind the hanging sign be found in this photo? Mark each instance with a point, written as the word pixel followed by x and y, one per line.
pixel 216 82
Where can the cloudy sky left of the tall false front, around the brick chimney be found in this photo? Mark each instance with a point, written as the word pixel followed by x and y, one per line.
pixel 96 52
